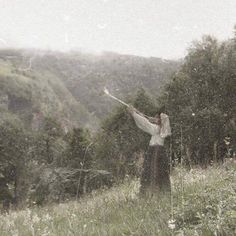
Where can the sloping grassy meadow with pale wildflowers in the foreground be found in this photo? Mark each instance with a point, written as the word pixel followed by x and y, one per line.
pixel 203 203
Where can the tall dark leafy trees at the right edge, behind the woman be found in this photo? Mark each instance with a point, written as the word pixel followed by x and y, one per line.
pixel 200 101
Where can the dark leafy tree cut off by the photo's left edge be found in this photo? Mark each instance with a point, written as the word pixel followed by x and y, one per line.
pixel 13 159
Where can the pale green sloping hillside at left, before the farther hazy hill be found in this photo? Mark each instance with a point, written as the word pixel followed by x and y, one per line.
pixel 27 92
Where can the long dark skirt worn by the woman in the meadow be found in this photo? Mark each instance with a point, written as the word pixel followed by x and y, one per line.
pixel 155 176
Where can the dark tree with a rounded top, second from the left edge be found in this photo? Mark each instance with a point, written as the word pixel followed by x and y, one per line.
pixel 48 155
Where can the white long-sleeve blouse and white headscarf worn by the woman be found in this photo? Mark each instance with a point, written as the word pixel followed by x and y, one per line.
pixel 158 133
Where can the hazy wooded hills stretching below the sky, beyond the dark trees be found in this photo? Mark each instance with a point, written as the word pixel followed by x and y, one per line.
pixel 69 85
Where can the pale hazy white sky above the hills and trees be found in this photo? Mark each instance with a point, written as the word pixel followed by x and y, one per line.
pixel 160 28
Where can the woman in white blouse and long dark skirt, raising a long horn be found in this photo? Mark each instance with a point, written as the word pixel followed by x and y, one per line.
pixel 155 176
